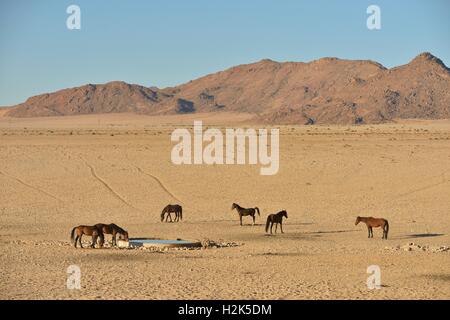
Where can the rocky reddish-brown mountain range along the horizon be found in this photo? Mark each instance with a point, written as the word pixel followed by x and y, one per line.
pixel 324 91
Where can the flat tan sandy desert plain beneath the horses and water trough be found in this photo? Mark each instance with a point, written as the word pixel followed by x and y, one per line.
pixel 60 172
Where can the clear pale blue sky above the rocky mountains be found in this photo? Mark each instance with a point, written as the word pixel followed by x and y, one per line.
pixel 168 42
